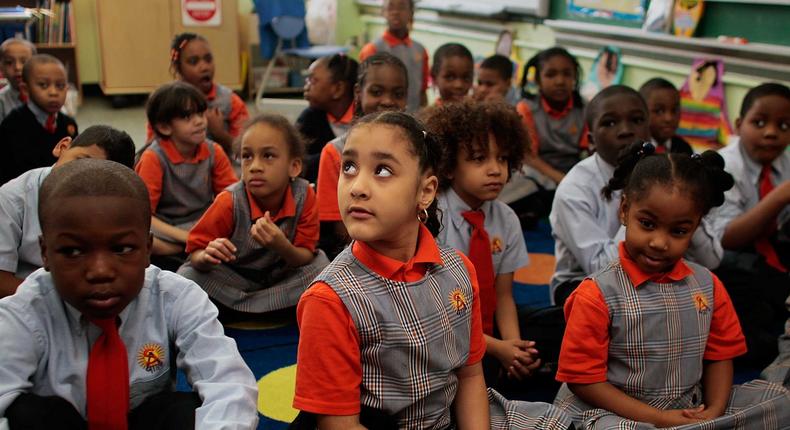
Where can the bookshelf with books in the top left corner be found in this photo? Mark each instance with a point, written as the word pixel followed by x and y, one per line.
pixel 50 26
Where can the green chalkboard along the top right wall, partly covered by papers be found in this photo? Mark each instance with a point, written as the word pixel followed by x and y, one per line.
pixel 763 23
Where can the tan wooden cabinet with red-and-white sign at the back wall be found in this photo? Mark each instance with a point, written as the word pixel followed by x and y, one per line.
pixel 134 44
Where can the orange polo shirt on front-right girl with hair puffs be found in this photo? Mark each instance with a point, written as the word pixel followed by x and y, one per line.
pixel 585 346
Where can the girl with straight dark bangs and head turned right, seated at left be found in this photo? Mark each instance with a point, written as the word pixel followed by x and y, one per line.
pixel 182 171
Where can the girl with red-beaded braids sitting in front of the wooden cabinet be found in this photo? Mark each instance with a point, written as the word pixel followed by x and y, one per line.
pixel 191 61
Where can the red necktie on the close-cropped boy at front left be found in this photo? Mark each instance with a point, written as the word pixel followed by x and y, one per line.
pixel 108 380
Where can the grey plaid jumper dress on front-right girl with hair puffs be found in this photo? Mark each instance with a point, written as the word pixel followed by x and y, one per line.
pixel 657 338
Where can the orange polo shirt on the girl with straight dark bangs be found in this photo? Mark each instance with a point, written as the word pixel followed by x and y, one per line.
pixel 149 169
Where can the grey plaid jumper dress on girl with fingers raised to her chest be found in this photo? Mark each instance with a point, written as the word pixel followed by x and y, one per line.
pixel 258 280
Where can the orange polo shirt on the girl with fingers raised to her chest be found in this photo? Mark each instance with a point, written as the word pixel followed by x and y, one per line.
pixel 218 221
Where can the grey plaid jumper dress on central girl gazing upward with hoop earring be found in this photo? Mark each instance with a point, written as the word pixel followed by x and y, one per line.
pixel 414 337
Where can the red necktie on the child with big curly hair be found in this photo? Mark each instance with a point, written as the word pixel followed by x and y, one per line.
pixel 480 254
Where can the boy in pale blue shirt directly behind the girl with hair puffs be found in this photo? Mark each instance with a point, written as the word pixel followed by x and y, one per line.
pixel 583 225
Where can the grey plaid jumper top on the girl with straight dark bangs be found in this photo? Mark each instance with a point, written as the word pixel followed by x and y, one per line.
pixel 186 189
